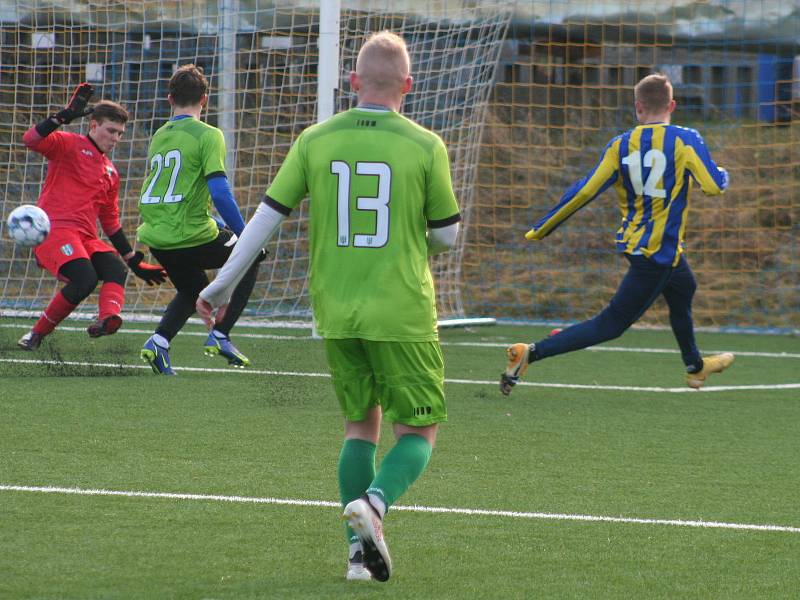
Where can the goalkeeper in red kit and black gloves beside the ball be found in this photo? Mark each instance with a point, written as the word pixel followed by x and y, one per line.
pixel 82 187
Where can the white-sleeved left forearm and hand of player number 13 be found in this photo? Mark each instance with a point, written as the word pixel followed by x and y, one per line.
pixel 255 236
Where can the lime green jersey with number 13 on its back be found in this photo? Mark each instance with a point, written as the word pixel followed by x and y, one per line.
pixel 376 180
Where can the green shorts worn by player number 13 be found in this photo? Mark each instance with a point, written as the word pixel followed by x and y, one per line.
pixel 405 378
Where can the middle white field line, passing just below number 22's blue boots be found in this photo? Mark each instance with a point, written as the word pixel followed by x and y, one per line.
pixel 570 386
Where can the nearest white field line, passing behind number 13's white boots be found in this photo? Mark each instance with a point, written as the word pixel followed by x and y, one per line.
pixel 421 509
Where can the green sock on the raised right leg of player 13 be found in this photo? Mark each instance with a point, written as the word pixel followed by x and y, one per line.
pixel 401 467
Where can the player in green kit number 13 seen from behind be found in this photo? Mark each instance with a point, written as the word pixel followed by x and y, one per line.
pixel 381 203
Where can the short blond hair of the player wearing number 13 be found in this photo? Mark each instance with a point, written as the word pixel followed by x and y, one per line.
pixel 383 62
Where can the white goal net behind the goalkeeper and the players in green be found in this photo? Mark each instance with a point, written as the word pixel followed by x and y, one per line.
pixel 263 68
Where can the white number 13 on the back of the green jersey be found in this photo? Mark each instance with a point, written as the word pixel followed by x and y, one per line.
pixel 378 204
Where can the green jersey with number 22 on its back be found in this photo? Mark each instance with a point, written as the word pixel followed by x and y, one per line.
pixel 175 203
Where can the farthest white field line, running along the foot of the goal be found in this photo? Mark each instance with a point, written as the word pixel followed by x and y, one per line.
pixel 269 336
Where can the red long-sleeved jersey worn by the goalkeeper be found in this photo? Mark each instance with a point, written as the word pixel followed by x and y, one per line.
pixel 81 186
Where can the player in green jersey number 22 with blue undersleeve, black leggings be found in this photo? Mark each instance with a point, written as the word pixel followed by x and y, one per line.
pixel 187 174
